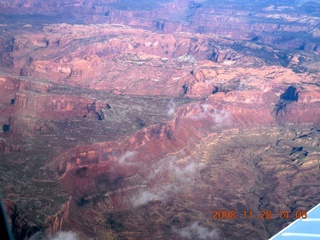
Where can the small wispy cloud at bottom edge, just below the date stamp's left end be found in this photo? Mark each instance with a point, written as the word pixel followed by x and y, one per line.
pixel 196 231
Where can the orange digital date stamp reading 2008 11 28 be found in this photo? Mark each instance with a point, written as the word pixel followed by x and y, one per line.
pixel 263 214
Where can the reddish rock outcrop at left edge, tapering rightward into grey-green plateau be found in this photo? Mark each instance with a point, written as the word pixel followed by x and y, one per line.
pixel 29 105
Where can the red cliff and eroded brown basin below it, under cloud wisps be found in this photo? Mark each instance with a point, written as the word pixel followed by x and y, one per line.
pixel 175 173
